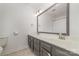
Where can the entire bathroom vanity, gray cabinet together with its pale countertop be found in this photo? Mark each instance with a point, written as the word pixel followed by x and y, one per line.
pixel 51 47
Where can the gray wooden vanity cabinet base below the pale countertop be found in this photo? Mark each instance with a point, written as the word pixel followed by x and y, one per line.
pixel 42 48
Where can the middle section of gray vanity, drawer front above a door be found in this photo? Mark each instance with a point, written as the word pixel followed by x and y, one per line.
pixel 45 49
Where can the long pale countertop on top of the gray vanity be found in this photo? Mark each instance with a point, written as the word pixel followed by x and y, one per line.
pixel 68 44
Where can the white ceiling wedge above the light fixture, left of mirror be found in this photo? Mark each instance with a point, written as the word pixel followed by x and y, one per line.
pixel 41 6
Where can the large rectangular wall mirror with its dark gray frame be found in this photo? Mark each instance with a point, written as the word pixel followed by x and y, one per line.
pixel 54 20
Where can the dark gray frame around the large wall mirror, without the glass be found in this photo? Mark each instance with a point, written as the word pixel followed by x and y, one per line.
pixel 67 21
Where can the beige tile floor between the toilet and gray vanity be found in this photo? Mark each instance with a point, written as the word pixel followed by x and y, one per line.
pixel 24 52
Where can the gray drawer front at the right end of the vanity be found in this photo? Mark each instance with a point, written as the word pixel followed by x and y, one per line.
pixel 57 51
